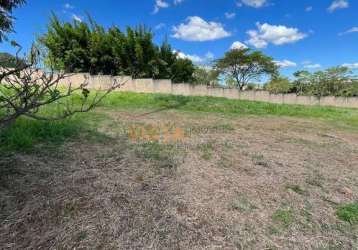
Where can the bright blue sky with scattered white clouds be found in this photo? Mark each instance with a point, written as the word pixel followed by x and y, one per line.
pixel 298 34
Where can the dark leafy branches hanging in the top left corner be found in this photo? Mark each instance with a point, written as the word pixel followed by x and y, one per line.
pixel 6 18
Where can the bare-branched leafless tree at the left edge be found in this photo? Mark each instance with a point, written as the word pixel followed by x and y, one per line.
pixel 25 88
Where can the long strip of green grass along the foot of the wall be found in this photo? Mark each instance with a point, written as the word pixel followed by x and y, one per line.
pixel 340 116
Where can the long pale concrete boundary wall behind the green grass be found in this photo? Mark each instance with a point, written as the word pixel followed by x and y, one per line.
pixel 167 87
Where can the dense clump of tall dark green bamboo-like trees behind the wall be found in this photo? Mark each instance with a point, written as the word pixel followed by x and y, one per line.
pixel 88 47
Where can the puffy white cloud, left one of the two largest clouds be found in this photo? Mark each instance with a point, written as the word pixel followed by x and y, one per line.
pixel 197 29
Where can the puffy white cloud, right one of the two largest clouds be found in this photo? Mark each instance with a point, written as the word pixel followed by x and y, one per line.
pixel 275 34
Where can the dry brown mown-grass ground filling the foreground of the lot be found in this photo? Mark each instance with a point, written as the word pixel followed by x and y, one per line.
pixel 228 183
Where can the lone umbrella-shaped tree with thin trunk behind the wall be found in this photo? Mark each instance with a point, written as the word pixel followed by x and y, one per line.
pixel 243 65
